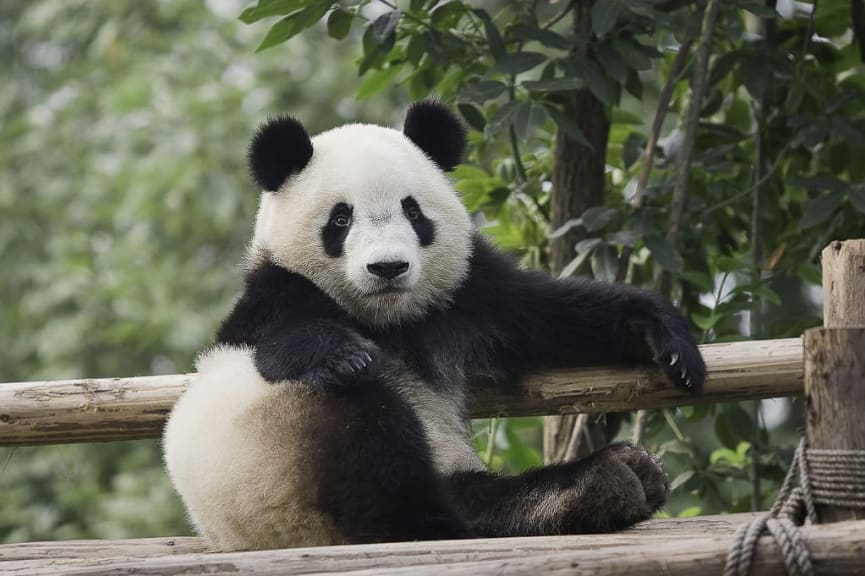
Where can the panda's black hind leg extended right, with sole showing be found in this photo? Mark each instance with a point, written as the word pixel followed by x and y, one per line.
pixel 609 490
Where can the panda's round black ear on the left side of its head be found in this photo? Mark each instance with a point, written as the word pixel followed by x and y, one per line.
pixel 281 147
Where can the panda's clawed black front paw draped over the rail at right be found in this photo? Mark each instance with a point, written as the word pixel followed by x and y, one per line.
pixel 676 351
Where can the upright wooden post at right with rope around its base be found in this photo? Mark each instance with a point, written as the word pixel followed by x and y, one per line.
pixel 835 362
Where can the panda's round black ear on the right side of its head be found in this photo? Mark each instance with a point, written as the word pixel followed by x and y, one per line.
pixel 438 132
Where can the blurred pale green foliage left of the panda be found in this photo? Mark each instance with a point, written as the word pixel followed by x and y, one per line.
pixel 124 210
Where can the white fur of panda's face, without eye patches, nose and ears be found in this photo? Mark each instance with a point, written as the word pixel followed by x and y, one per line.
pixel 372 169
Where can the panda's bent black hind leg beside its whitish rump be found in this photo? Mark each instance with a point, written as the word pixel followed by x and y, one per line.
pixel 376 478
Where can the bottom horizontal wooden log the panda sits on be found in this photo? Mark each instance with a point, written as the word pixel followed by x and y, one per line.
pixel 837 549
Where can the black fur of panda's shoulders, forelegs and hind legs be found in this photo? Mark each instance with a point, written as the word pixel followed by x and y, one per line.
pixel 502 324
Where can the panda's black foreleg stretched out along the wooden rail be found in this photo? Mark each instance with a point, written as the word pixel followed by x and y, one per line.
pixel 541 322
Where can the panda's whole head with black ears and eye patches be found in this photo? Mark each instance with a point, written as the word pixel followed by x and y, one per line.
pixel 365 212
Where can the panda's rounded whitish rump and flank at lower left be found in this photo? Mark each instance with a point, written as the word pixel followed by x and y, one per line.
pixel 229 450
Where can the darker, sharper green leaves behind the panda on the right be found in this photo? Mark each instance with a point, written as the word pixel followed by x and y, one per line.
pixel 508 69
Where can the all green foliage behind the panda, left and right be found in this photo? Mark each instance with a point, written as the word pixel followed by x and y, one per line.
pixel 125 204
